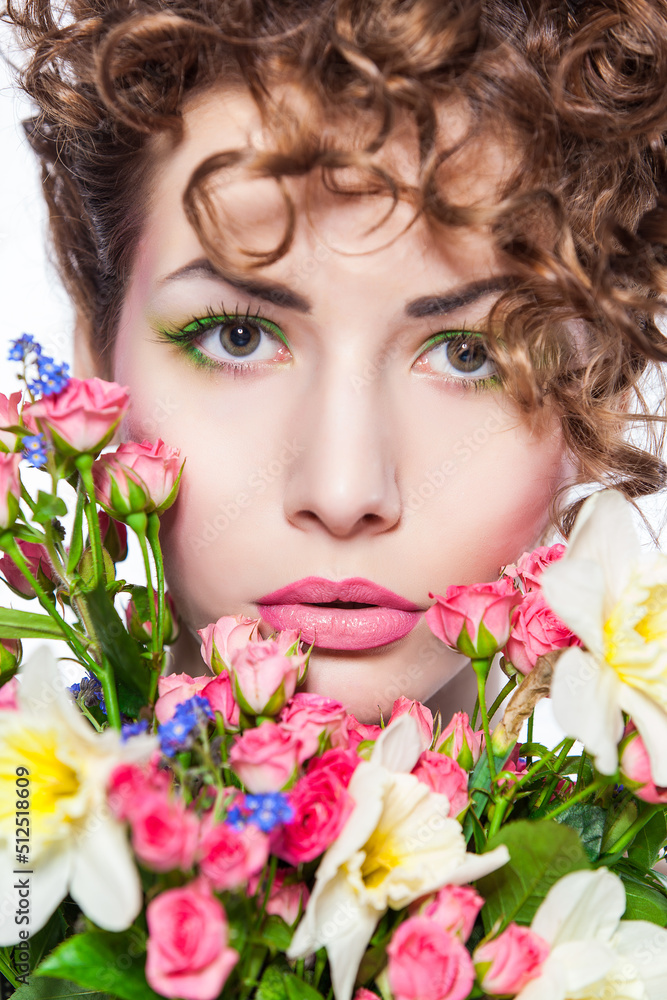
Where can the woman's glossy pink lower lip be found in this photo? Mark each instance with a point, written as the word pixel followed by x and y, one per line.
pixel 341 628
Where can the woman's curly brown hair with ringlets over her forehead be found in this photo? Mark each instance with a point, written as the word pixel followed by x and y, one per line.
pixel 579 87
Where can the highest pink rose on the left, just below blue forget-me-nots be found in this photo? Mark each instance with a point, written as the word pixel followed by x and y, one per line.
pixel 82 418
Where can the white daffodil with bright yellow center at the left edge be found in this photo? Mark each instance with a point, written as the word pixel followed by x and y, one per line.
pixel 75 844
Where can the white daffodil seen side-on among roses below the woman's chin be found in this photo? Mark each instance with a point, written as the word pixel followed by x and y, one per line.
pixel 398 844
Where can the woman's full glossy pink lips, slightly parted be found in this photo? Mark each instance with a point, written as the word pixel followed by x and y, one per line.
pixel 292 607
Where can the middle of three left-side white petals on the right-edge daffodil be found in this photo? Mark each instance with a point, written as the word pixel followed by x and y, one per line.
pixel 575 591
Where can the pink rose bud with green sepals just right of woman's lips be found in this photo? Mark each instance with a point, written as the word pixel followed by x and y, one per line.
pixel 474 619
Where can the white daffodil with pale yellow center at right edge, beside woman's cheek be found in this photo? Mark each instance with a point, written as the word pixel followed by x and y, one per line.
pixel 616 602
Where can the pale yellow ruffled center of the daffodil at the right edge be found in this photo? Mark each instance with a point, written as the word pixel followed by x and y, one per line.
pixel 635 639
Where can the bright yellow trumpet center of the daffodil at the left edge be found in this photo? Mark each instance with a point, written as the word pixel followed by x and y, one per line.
pixel 53 784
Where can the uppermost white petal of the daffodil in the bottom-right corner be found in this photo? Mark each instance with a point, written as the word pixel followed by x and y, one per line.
pixel 584 905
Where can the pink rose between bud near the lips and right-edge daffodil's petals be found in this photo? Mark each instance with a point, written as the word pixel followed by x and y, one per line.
pixel 536 630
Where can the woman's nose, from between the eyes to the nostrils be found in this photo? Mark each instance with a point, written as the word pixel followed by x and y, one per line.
pixel 344 481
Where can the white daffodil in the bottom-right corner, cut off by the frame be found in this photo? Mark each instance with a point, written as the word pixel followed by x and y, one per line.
pixel 594 954
